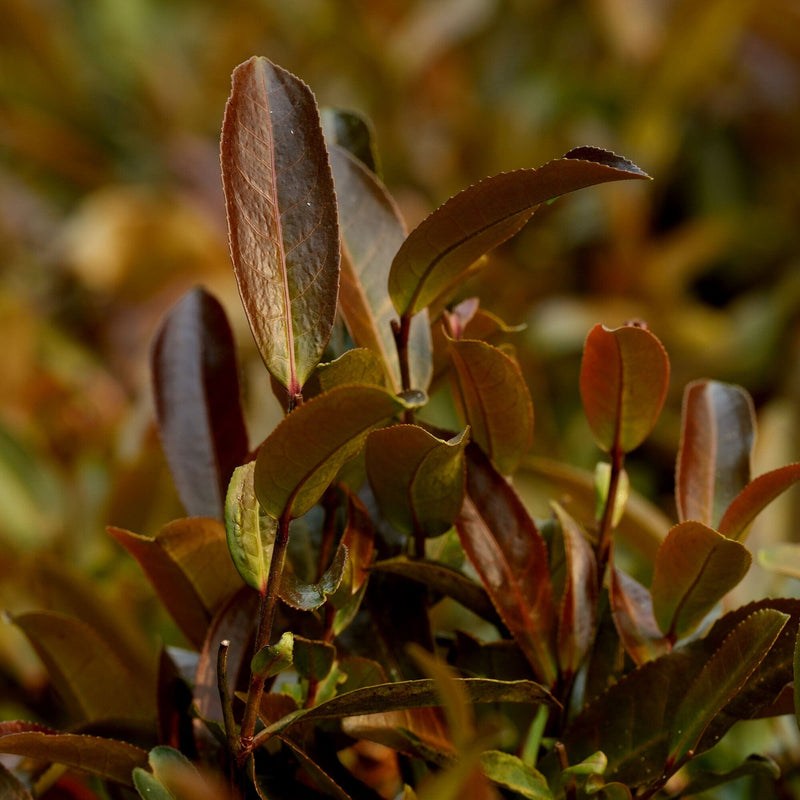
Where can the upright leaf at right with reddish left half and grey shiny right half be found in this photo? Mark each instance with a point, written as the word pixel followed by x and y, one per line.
pixel 713 466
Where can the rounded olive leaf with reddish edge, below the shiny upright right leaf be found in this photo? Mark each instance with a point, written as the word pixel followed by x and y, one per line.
pixel 695 568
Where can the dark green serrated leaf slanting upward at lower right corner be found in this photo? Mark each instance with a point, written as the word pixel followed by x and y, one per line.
pixel 721 679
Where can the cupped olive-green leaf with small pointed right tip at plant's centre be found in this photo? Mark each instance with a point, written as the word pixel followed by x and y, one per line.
pixel 417 479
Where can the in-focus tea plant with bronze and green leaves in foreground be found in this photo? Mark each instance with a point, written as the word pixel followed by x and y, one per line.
pixel 308 577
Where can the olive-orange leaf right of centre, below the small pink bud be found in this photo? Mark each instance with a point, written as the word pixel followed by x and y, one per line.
pixel 495 401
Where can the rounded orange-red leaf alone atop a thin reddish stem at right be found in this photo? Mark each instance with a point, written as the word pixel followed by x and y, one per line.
pixel 623 383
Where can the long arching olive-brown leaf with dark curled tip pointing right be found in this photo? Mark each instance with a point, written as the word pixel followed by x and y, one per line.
pixel 479 218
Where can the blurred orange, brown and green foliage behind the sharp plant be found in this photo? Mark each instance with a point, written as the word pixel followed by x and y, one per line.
pixel 111 207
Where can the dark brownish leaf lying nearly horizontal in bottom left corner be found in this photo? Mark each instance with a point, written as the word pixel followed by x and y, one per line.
pixel 106 758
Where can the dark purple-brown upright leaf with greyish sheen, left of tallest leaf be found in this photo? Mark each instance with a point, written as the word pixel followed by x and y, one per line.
pixel 197 401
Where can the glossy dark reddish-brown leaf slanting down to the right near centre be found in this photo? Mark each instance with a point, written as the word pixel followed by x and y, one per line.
pixel 508 552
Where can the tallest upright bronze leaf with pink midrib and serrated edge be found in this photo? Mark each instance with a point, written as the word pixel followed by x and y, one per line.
pixel 282 217
